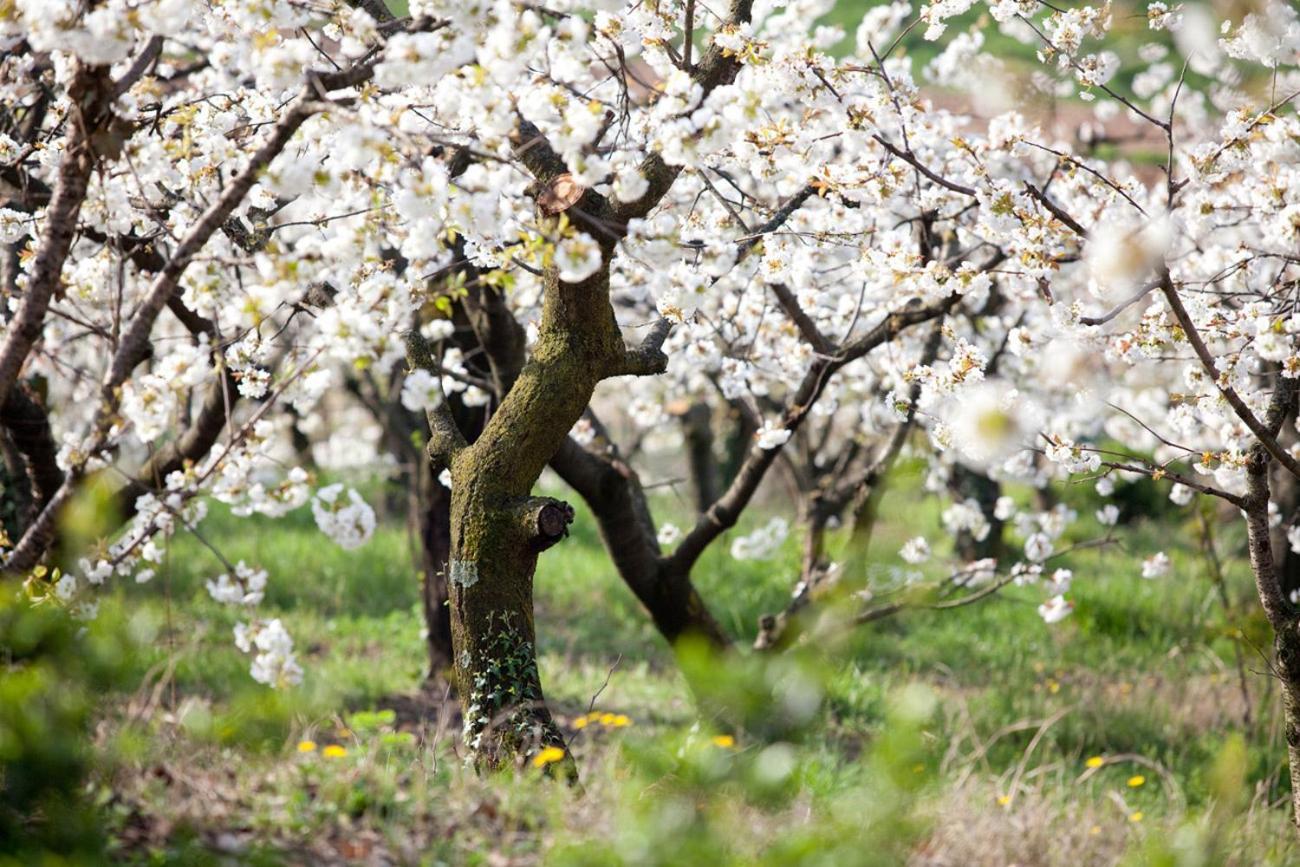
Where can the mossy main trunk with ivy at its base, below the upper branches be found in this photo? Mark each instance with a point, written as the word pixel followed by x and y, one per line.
pixel 499 528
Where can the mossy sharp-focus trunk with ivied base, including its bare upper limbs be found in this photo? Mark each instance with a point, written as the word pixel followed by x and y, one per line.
pixel 499 528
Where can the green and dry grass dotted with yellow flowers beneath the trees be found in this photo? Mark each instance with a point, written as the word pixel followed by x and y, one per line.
pixel 200 764
